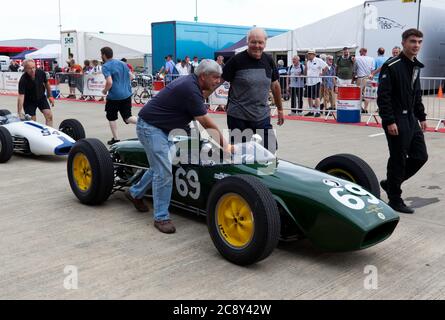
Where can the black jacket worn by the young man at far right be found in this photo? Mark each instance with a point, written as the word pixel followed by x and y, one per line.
pixel 399 90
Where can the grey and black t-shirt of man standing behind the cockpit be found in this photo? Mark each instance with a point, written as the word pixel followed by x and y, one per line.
pixel 250 80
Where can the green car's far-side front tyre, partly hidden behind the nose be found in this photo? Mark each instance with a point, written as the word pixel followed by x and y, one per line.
pixel 351 168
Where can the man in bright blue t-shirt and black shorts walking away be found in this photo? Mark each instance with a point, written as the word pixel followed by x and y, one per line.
pixel 118 91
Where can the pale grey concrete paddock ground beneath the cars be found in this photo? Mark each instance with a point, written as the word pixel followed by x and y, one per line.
pixel 119 254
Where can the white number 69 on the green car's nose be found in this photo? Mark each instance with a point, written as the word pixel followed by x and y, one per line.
pixel 352 200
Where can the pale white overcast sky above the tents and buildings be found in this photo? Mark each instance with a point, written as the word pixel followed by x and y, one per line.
pixel 40 19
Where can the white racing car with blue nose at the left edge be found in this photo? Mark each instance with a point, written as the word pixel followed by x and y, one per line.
pixel 29 137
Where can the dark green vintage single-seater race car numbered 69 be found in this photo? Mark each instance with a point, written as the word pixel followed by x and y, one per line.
pixel 252 203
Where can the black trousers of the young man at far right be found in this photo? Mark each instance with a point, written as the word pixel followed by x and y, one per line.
pixel 408 154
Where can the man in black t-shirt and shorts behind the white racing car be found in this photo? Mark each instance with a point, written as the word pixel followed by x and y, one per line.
pixel 32 86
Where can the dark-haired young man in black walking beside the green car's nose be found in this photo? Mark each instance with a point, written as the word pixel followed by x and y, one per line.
pixel 401 108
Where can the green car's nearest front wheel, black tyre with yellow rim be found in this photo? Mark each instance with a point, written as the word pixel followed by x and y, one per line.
pixel 243 219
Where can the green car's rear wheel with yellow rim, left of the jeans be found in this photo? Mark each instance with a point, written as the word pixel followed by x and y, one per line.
pixel 90 171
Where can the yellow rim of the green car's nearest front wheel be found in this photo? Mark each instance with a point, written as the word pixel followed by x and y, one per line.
pixel 235 221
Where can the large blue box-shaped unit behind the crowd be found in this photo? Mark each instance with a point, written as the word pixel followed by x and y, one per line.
pixel 181 39
